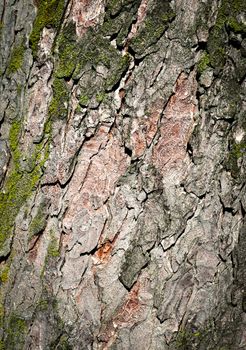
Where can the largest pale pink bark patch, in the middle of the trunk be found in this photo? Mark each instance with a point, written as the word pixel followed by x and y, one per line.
pixel 102 161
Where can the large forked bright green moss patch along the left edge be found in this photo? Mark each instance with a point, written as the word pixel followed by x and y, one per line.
pixel 19 184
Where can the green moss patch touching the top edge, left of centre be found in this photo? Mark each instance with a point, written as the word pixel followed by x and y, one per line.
pixel 49 14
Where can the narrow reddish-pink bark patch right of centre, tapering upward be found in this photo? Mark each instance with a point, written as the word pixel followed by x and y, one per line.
pixel 176 125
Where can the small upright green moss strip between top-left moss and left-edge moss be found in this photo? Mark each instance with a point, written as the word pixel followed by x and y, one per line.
pixel 59 104
